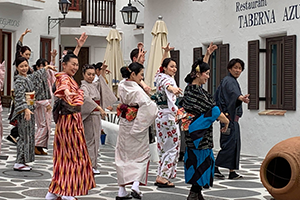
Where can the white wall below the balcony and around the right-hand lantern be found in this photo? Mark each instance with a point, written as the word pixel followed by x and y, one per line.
pixel 97 34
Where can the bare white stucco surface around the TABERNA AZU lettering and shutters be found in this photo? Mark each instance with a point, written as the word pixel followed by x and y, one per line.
pixel 193 24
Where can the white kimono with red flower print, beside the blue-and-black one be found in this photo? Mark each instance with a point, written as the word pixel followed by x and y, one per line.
pixel 167 131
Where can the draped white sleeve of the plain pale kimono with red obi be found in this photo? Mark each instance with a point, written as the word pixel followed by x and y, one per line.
pixel 146 113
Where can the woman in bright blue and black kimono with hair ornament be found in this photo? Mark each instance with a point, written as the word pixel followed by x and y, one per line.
pixel 197 114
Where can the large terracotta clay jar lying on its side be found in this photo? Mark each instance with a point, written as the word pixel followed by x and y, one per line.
pixel 280 171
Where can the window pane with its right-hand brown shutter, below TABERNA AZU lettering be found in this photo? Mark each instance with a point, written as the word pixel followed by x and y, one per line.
pixel 281 73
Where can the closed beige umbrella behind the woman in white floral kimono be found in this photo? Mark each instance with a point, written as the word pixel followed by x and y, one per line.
pixel 159 40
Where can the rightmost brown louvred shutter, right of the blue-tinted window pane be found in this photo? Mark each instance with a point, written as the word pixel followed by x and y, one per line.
pixel 289 73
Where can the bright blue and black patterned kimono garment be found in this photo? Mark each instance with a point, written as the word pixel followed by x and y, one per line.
pixel 199 160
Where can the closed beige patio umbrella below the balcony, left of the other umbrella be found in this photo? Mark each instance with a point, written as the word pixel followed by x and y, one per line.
pixel 114 57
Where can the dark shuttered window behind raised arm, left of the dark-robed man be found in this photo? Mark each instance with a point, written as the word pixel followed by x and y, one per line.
pixel 218 65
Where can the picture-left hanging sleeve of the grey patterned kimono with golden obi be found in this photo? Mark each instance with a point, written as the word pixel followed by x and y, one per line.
pixel 20 99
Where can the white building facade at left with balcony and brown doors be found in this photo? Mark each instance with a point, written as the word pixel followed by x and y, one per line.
pixel 95 17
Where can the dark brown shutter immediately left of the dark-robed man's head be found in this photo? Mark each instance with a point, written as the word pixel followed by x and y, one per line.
pixel 222 62
